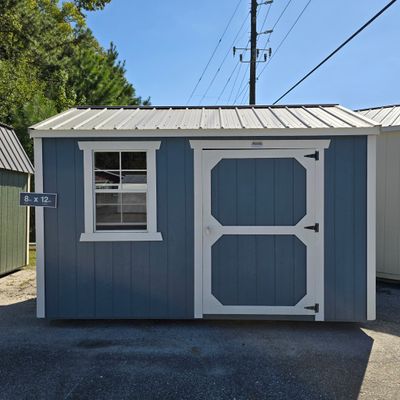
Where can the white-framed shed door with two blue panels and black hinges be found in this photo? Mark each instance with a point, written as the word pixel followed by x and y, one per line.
pixel 262 232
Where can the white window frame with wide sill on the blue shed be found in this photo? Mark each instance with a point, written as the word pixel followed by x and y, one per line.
pixel 90 234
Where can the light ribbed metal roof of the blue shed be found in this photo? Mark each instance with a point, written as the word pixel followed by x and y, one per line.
pixel 102 119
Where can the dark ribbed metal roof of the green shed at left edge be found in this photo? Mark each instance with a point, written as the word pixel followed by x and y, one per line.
pixel 12 155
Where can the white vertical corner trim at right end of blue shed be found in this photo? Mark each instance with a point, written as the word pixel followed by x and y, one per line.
pixel 371 228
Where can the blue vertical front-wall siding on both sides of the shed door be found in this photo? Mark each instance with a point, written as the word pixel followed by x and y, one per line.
pixel 155 280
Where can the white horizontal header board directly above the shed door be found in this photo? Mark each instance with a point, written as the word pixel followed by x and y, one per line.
pixel 260 144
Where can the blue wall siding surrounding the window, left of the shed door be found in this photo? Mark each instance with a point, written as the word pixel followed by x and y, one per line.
pixel 118 280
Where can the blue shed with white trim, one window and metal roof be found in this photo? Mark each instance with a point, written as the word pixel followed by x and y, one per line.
pixel 207 212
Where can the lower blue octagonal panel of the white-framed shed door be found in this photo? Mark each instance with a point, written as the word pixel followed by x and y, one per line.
pixel 262 270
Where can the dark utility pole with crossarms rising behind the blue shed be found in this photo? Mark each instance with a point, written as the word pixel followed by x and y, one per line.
pixel 254 51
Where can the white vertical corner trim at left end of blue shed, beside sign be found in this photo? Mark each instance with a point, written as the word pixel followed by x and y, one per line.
pixel 39 218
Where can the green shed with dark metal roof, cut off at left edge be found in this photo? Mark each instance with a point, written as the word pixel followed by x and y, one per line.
pixel 15 173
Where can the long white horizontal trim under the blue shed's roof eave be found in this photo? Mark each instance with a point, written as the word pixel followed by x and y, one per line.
pixel 141 133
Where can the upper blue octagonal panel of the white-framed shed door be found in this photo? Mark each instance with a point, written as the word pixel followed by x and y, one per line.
pixel 258 192
